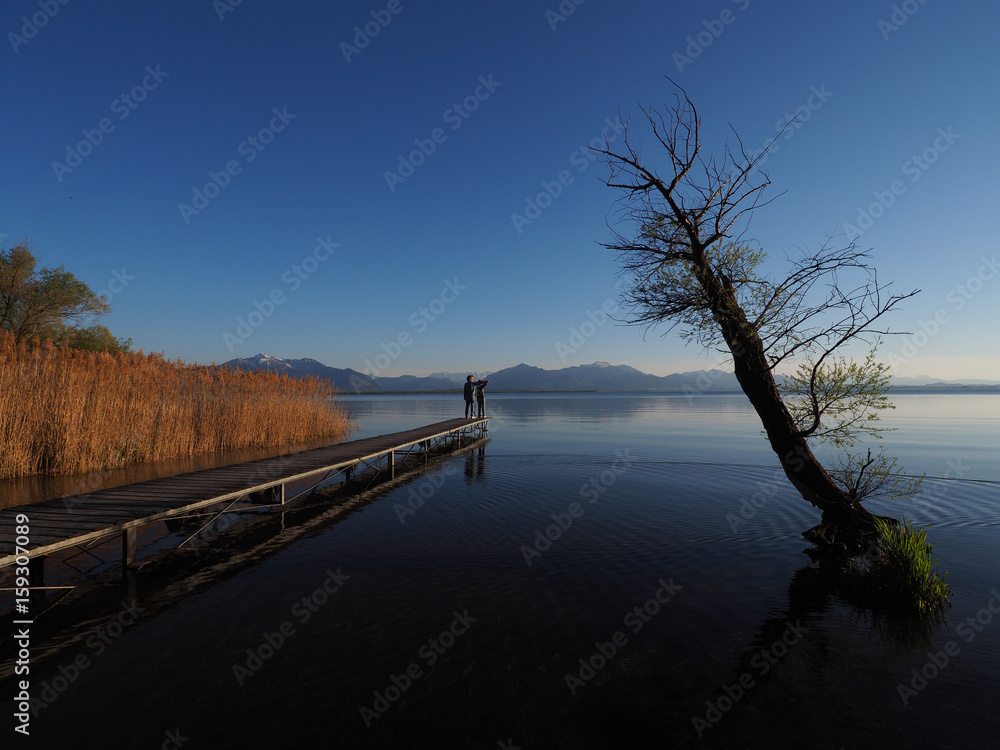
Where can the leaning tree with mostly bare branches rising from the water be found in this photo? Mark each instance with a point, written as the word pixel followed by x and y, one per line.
pixel 689 265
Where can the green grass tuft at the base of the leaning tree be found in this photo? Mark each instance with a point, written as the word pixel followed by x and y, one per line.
pixel 898 571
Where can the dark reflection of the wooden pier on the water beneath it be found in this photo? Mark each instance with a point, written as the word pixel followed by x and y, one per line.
pixel 82 601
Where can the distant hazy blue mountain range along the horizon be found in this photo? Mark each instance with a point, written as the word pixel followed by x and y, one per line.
pixel 599 376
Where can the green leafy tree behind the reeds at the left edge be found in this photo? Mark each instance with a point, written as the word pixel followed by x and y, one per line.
pixel 51 303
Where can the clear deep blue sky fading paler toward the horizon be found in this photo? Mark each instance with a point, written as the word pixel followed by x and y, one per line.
pixel 225 171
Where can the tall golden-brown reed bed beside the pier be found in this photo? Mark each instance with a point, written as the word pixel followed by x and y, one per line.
pixel 67 411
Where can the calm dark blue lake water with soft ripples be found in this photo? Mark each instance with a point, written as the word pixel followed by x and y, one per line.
pixel 669 605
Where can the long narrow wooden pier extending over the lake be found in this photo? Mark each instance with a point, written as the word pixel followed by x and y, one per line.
pixel 80 520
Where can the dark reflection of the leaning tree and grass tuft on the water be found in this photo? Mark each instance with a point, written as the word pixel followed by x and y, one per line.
pixel 789 683
